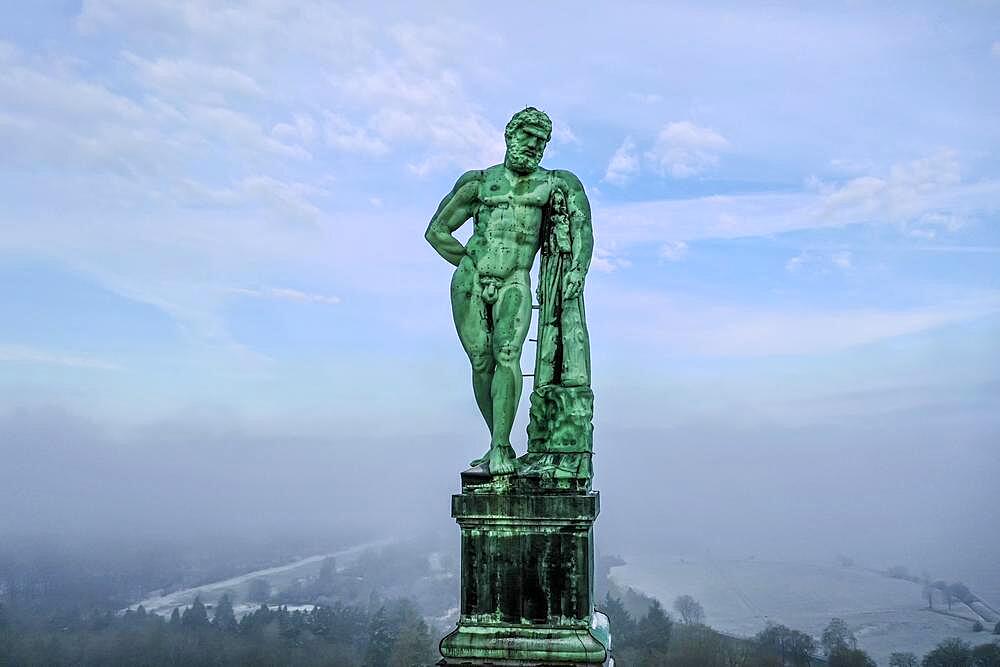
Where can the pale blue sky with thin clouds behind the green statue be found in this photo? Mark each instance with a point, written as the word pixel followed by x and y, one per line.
pixel 213 218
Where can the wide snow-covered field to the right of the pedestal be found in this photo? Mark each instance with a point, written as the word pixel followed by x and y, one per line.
pixel 740 597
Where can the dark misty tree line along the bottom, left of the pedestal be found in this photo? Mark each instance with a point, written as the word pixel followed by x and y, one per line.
pixel 386 634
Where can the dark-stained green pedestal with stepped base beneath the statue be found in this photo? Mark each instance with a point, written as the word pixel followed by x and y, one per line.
pixel 527 575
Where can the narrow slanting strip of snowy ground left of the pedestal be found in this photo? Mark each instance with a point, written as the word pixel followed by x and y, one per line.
pixel 279 577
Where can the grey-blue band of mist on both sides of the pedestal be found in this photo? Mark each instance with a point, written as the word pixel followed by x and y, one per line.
pixel 922 495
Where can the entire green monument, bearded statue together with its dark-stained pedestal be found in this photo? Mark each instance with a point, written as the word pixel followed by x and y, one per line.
pixel 527 594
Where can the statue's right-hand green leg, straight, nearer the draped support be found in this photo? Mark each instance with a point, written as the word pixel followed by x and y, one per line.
pixel 512 318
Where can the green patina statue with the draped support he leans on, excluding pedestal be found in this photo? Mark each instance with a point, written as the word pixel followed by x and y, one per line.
pixel 520 209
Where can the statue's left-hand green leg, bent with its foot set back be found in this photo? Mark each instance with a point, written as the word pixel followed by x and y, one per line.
pixel 471 322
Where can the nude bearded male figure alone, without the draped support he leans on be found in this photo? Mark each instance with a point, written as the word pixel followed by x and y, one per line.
pixel 490 290
